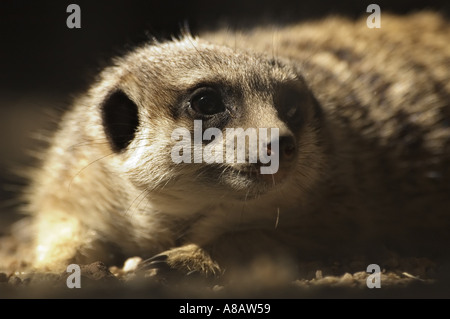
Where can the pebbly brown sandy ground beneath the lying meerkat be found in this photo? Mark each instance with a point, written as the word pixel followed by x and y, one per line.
pixel 345 279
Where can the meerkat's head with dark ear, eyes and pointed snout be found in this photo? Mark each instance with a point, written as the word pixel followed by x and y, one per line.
pixel 194 121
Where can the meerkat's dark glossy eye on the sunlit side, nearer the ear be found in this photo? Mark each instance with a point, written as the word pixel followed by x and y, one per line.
pixel 207 101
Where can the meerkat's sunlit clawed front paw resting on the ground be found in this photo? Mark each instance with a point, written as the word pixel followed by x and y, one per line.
pixel 189 260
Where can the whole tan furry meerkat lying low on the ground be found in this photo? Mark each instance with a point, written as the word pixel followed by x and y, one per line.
pixel 364 150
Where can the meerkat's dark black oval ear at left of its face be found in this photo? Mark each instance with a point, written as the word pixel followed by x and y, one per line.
pixel 120 120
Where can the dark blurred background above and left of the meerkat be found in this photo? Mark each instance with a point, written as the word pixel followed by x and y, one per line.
pixel 43 63
